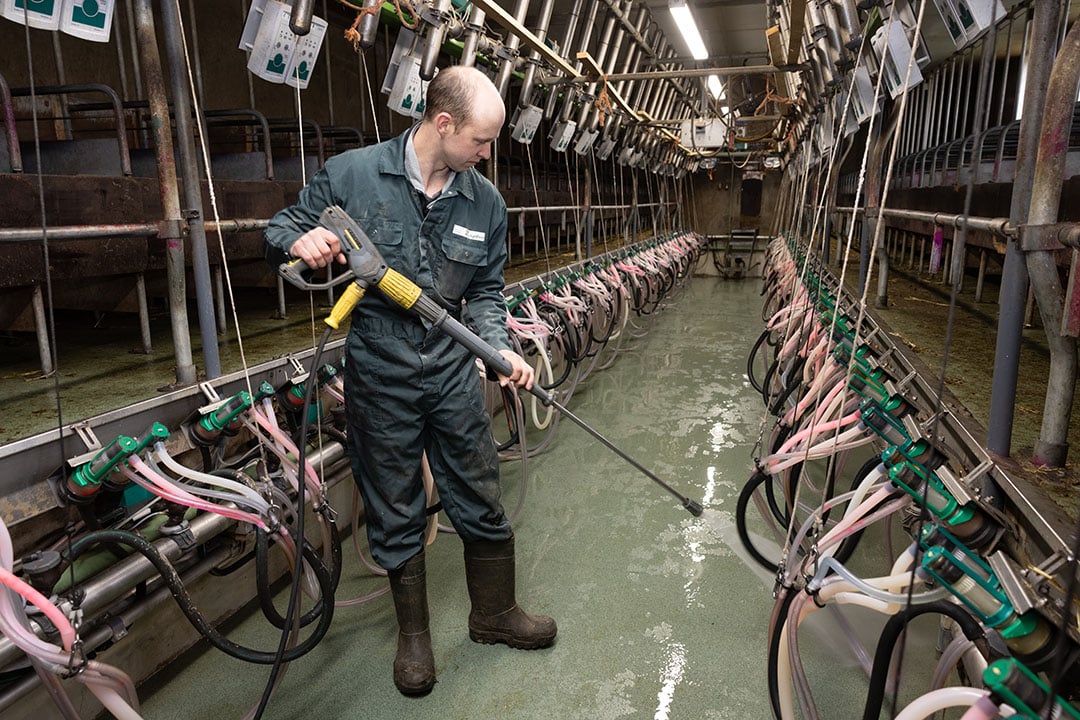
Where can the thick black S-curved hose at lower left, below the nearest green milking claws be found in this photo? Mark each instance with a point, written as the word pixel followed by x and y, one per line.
pixel 172 579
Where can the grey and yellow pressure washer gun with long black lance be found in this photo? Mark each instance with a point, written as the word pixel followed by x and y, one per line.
pixel 370 270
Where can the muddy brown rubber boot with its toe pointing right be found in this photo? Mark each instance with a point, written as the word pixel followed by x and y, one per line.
pixel 495 617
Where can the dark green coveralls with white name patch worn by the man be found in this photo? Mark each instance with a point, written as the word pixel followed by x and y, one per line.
pixel 409 387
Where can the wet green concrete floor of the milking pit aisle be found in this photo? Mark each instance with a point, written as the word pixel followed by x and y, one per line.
pixel 660 614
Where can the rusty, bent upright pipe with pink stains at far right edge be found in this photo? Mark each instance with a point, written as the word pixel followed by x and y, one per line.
pixel 1052 447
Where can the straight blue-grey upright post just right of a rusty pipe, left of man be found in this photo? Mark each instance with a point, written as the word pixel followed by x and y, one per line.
pixel 193 188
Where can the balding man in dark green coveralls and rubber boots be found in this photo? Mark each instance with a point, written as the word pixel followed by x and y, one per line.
pixel 411 389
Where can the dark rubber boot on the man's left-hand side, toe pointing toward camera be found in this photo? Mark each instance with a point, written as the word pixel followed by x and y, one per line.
pixel 415 663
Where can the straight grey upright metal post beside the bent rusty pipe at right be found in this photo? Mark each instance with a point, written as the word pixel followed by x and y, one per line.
pixel 1015 279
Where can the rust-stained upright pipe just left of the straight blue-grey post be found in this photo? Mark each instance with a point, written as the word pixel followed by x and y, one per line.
pixel 172 219
